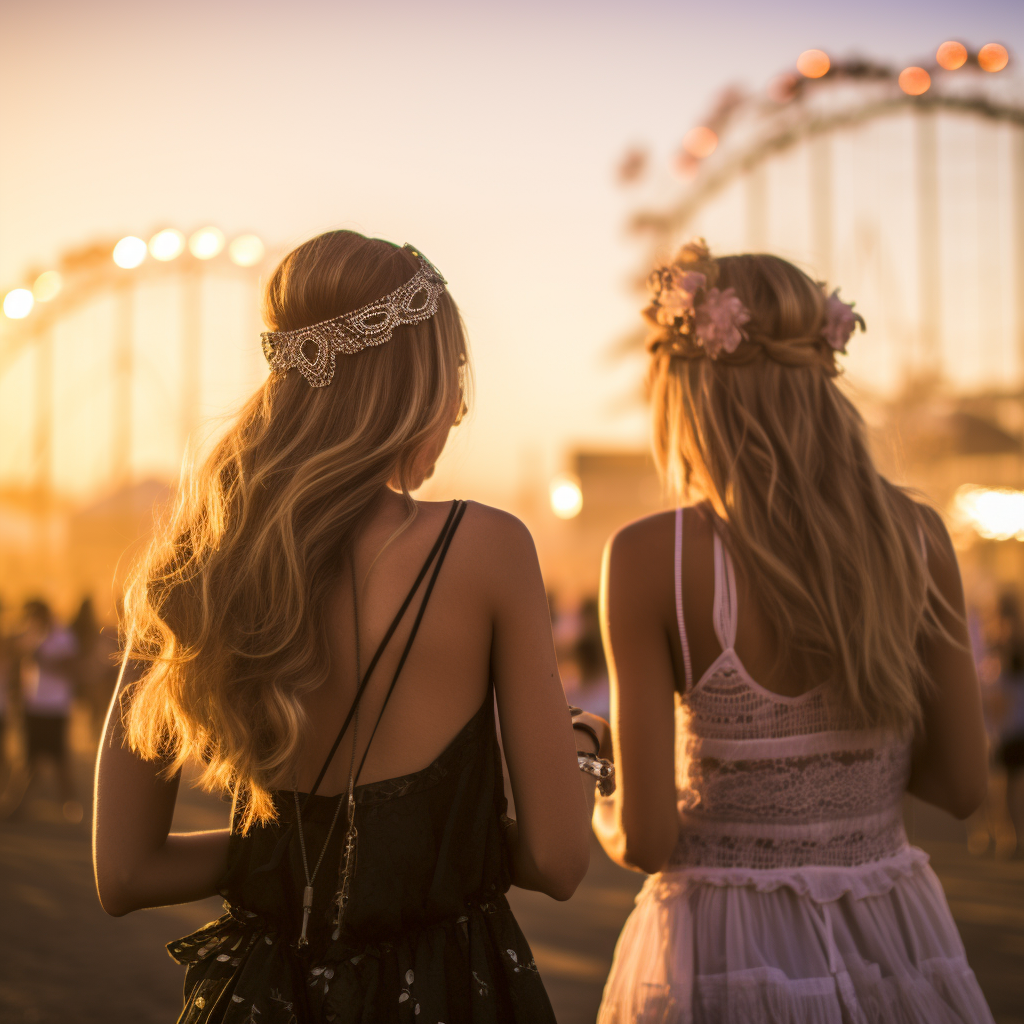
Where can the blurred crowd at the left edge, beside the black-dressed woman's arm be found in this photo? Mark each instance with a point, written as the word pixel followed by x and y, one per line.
pixel 51 671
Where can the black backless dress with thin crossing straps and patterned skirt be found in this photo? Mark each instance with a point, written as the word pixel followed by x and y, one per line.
pixel 428 935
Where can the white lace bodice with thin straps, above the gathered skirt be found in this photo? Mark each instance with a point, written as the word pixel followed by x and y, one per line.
pixel 771 783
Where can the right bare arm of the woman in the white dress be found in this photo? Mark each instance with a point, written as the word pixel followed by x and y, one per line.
pixel 951 765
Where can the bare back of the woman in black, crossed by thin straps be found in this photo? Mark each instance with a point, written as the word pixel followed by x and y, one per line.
pixel 447 675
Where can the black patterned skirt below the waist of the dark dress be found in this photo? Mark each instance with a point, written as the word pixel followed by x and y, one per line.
pixel 475 969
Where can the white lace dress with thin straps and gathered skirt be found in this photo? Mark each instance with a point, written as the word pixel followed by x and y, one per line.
pixel 793 895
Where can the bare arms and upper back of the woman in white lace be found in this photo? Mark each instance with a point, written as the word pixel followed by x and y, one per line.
pixel 643 638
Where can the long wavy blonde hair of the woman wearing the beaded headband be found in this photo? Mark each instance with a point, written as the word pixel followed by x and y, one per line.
pixel 228 607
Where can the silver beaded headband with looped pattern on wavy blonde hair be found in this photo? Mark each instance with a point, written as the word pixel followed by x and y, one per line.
pixel 313 350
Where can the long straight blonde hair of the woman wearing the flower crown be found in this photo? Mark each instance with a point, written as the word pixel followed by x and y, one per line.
pixel 771 441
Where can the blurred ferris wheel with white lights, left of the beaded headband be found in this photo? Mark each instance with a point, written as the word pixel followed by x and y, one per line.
pixel 106 357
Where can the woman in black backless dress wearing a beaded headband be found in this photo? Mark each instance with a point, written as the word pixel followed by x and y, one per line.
pixel 329 651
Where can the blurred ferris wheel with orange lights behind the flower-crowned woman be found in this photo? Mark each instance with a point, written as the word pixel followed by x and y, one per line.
pixel 905 187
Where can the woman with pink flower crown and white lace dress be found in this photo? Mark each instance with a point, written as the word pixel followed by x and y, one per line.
pixel 789 656
